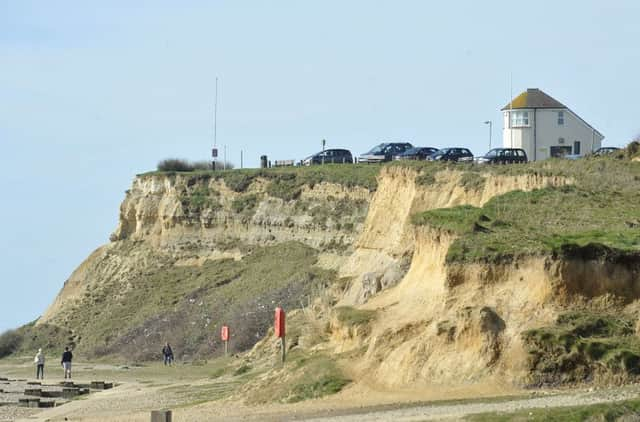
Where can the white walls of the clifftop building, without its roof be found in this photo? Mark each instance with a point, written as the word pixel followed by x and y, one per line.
pixel 543 129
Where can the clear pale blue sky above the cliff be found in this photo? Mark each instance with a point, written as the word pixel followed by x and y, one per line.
pixel 92 93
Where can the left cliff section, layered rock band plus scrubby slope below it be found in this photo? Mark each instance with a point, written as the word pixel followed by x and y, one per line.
pixel 190 254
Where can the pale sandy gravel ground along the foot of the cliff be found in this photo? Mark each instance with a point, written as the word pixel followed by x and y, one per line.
pixel 193 398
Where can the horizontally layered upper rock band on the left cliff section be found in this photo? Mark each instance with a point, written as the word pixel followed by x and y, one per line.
pixel 166 210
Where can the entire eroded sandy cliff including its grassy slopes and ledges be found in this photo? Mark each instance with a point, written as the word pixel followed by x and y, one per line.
pixel 433 274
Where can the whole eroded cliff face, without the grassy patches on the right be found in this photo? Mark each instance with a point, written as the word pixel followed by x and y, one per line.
pixel 219 255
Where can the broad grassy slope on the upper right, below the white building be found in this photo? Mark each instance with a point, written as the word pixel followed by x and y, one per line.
pixel 603 208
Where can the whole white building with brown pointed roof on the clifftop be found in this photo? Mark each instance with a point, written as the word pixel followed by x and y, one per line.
pixel 544 127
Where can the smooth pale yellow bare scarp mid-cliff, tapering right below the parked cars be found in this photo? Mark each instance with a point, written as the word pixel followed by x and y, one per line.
pixel 388 240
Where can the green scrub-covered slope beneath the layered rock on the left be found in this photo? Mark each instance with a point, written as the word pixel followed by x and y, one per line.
pixel 187 304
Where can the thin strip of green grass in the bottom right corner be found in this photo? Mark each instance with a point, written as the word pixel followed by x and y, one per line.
pixel 598 412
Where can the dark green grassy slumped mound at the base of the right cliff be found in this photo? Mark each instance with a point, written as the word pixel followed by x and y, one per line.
pixel 580 345
